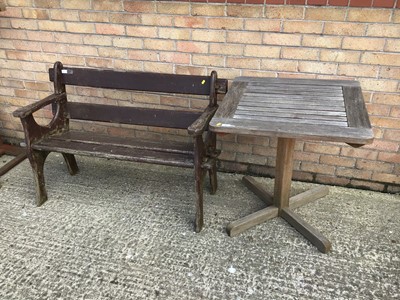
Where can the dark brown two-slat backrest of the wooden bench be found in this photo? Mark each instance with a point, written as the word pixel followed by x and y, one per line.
pixel 135 81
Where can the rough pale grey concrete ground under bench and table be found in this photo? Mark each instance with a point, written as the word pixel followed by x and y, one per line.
pixel 122 230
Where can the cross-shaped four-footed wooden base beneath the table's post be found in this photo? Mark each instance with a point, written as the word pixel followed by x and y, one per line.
pixel 313 235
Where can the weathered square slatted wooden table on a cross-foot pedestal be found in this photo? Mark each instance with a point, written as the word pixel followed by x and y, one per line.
pixel 290 109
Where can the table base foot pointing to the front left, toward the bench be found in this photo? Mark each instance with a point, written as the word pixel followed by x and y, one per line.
pixel 236 227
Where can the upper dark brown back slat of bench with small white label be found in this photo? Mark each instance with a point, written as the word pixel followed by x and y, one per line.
pixel 139 81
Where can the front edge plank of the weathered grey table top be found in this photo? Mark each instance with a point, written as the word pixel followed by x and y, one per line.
pixel 301 131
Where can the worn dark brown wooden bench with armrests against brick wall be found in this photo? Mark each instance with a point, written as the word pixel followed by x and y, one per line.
pixel 57 136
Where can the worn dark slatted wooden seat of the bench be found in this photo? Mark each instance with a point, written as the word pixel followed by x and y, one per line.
pixel 130 150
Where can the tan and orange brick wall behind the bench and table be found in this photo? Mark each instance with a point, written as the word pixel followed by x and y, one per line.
pixel 354 40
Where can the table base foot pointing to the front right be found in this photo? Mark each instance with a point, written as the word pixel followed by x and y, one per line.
pixel 309 232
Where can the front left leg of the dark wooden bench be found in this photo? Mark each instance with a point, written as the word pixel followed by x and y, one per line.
pixel 37 159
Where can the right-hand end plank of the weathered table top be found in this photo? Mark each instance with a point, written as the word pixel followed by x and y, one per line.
pixel 356 111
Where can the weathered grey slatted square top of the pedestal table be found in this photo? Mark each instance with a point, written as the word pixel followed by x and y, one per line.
pixel 312 109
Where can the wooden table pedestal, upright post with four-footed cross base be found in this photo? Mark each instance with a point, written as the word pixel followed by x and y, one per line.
pixel 280 204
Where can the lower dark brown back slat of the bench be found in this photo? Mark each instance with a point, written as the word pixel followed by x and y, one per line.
pixel 131 115
